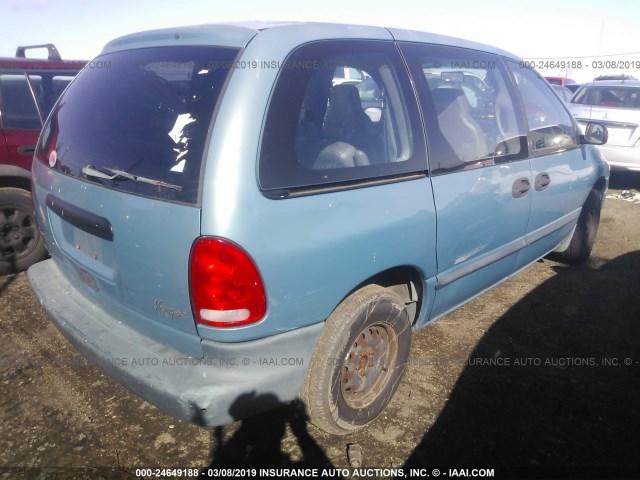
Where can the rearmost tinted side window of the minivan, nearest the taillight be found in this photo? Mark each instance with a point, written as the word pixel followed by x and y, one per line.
pixel 341 111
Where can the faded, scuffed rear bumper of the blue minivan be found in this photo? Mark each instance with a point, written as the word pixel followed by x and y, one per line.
pixel 230 382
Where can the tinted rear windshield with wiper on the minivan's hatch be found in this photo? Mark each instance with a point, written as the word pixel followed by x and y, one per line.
pixel 139 124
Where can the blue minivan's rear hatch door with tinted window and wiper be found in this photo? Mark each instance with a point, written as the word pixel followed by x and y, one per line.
pixel 117 175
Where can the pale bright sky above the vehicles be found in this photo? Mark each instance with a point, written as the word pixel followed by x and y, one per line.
pixel 543 29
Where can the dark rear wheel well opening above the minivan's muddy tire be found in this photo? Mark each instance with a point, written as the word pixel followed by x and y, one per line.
pixel 405 281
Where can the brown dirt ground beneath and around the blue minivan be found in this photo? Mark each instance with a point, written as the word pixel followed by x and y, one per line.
pixel 541 372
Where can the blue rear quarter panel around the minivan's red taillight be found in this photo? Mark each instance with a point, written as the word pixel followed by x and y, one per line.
pixel 311 251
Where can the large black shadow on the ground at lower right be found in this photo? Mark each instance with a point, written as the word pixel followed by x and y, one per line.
pixel 555 382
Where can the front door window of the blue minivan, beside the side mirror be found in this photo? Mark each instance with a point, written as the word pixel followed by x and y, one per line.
pixel 551 126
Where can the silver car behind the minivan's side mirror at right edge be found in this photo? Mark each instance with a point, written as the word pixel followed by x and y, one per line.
pixel 616 104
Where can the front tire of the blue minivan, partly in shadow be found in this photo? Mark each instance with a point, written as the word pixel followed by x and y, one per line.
pixel 584 235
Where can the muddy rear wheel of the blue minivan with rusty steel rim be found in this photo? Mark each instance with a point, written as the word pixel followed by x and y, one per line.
pixel 359 360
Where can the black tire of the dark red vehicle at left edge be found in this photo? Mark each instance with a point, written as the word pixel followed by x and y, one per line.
pixel 21 244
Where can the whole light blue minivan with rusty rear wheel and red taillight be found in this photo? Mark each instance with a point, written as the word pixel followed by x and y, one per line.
pixel 243 214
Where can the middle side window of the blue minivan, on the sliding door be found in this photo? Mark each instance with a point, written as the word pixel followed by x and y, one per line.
pixel 470 109
